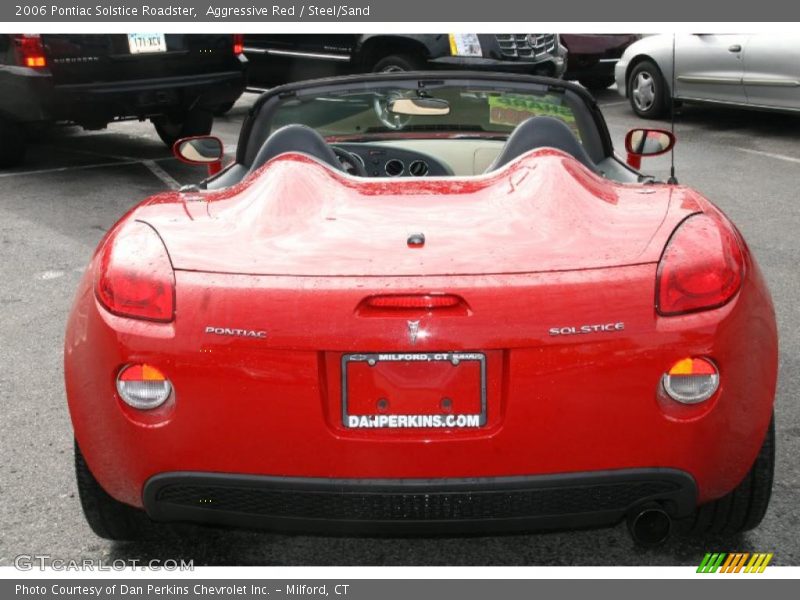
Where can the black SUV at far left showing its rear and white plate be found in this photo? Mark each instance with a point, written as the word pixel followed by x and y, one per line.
pixel 178 81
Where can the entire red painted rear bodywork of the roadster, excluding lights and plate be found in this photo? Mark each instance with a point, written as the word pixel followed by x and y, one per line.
pixel 540 244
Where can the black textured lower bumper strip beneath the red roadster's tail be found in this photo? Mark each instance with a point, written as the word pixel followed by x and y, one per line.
pixel 416 506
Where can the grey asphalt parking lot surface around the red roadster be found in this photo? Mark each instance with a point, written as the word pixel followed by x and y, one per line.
pixel 76 184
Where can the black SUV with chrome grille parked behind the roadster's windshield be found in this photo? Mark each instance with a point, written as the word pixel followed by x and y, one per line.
pixel 279 59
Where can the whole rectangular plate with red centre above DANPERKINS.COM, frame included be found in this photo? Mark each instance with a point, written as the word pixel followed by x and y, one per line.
pixel 437 390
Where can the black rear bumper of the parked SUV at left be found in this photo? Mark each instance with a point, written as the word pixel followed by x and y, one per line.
pixel 38 99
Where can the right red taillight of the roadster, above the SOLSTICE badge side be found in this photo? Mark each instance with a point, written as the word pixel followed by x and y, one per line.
pixel 702 267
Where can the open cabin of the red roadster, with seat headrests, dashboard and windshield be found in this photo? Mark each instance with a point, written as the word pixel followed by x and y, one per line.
pixel 461 132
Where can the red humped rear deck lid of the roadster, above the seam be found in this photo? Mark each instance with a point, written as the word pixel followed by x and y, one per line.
pixel 543 213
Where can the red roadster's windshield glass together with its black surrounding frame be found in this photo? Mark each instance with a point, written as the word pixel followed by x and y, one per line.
pixel 480 107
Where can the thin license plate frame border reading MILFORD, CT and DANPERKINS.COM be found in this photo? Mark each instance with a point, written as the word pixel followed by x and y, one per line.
pixel 450 357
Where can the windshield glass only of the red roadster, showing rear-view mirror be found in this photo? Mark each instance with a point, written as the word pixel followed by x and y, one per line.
pixel 475 110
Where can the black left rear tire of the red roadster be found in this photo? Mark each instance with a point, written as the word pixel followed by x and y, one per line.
pixel 108 518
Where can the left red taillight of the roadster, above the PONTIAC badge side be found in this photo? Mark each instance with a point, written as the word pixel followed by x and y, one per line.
pixel 134 277
